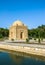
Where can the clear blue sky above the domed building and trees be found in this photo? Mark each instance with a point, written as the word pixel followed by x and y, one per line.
pixel 30 12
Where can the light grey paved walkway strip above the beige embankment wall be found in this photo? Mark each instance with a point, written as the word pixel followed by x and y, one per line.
pixel 24 45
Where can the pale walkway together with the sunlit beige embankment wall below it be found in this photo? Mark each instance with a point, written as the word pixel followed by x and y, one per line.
pixel 26 48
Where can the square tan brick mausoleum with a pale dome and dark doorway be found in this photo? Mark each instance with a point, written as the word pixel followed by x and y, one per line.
pixel 18 31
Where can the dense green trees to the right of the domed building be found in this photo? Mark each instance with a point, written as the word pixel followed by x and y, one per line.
pixel 37 32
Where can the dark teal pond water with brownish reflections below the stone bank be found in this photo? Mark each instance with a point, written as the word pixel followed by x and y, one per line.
pixel 16 58
